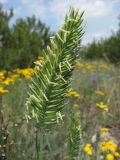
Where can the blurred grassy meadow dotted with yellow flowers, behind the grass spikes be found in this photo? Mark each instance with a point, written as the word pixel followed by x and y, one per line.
pixel 95 93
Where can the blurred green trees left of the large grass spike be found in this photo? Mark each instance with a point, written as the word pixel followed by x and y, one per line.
pixel 21 43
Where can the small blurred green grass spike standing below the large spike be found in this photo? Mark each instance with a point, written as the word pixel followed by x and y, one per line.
pixel 74 136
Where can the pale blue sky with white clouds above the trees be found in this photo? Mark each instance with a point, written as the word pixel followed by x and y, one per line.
pixel 100 15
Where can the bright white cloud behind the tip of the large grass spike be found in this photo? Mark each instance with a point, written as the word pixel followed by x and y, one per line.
pixel 93 8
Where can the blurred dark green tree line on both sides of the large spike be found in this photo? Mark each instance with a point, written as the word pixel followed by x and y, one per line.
pixel 23 42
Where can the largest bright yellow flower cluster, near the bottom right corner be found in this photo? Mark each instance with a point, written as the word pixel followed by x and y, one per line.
pixel 108 145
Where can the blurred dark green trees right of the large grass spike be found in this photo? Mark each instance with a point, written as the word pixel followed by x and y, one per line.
pixel 108 49
